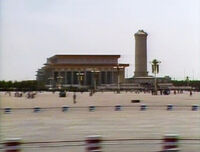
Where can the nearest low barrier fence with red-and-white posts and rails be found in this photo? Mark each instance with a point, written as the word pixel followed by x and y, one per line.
pixel 96 143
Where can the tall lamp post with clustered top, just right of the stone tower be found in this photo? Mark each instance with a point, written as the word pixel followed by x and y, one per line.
pixel 155 69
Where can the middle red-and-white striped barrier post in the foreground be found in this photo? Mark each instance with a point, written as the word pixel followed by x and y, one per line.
pixel 93 143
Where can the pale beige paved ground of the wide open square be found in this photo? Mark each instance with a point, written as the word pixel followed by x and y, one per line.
pixel 77 123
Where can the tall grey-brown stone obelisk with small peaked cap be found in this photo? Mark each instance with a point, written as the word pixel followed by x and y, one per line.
pixel 141 54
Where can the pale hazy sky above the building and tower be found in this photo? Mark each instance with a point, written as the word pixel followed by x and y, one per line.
pixel 33 30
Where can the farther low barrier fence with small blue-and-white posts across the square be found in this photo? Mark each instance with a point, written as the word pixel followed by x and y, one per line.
pixel 92 108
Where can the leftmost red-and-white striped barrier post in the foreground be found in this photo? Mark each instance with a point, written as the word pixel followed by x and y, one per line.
pixel 12 145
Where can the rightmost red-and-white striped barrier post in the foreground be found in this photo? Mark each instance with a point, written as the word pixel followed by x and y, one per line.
pixel 170 142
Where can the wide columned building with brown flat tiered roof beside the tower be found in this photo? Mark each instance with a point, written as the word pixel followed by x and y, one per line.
pixel 81 70
